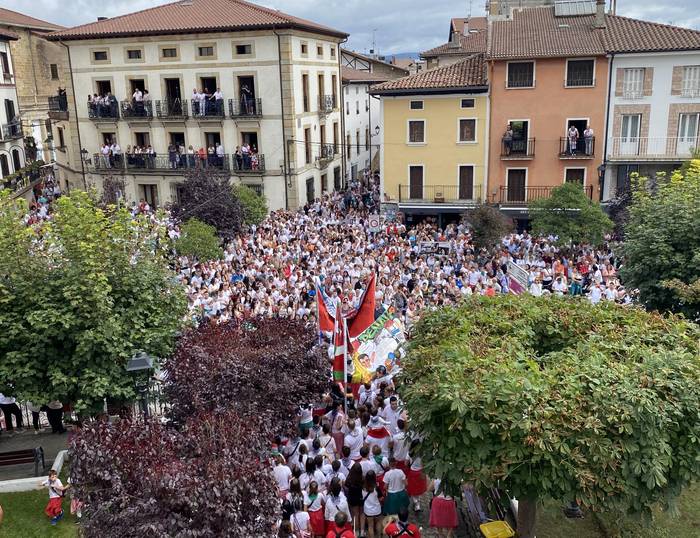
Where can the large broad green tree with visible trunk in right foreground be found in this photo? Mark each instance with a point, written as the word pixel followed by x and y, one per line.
pixel 556 398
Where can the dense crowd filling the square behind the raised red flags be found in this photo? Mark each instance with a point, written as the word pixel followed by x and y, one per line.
pixel 275 268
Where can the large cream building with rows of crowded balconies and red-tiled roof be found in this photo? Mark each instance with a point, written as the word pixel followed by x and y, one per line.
pixel 179 79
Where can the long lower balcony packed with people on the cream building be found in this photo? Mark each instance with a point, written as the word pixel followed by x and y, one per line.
pixel 143 163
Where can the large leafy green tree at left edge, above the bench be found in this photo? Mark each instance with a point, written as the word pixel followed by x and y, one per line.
pixel 79 296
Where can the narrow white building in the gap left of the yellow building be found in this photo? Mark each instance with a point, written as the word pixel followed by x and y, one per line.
pixel 363 121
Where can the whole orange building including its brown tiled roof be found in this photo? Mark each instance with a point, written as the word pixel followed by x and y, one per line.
pixel 548 76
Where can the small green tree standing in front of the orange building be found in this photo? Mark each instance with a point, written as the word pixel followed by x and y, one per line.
pixel 570 215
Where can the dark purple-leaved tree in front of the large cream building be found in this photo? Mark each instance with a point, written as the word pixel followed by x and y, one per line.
pixel 206 195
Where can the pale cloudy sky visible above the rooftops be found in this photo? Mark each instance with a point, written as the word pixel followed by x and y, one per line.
pixel 401 25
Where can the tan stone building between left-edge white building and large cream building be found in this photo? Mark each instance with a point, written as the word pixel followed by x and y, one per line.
pixel 41 69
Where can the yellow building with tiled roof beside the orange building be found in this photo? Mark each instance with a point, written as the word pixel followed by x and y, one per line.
pixel 434 140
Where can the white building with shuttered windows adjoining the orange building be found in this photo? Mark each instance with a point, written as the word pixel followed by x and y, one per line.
pixel 654 111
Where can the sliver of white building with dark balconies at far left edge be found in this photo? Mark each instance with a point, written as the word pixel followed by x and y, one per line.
pixel 11 135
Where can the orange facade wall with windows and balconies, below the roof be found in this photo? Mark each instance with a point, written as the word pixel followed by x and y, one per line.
pixel 554 109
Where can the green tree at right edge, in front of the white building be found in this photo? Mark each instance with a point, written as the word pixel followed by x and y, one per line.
pixel 662 242
